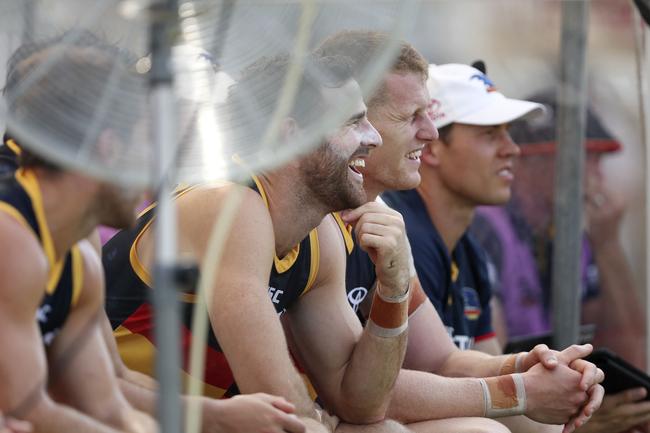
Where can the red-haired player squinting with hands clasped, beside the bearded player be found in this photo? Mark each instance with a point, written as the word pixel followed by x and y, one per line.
pixel 399 112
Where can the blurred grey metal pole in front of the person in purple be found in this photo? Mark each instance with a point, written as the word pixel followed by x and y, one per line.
pixel 569 173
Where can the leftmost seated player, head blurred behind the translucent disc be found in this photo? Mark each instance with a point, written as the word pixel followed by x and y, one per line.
pixel 56 370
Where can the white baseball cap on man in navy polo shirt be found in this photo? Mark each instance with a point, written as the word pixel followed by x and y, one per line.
pixel 463 94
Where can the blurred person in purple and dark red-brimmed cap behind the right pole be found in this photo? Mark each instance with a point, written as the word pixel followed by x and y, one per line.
pixel 518 239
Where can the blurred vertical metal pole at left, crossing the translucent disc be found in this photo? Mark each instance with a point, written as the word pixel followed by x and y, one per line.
pixel 165 299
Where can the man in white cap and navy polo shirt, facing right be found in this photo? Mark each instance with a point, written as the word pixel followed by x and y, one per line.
pixel 468 165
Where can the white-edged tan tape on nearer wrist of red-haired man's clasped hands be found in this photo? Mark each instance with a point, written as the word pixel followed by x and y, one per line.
pixel 504 395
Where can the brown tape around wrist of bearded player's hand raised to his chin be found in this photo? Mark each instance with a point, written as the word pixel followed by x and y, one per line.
pixel 388 316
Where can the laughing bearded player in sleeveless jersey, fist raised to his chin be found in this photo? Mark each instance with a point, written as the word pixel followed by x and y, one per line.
pixel 283 259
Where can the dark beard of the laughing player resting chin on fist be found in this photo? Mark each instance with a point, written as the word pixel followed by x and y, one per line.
pixel 326 176
